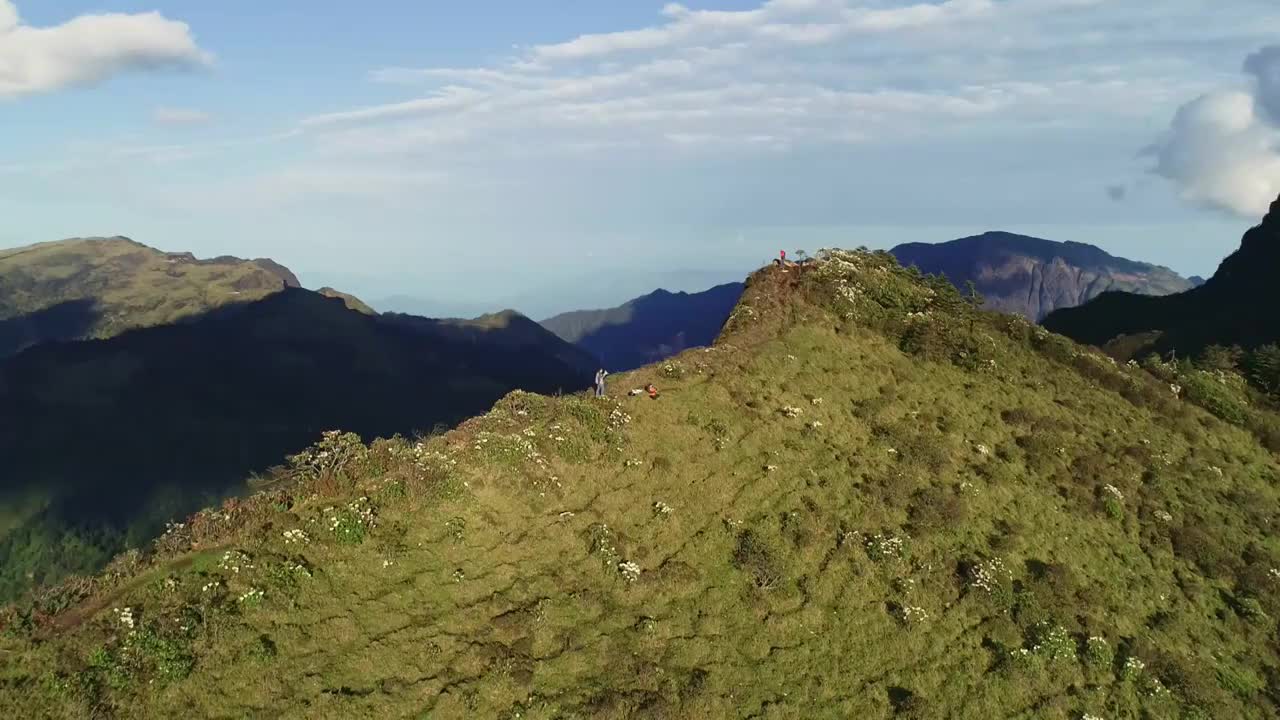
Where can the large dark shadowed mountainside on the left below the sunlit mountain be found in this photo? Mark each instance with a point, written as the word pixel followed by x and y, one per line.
pixel 103 443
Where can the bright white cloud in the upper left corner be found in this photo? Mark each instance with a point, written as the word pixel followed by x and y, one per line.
pixel 89 49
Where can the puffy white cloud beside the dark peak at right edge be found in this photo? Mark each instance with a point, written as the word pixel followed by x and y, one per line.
pixel 1223 149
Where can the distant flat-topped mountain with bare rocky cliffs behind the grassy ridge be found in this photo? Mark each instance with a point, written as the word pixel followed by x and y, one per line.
pixel 1034 277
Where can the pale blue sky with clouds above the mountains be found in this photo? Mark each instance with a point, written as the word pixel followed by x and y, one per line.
pixel 555 154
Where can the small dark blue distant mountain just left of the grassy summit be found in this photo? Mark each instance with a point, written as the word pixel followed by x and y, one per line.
pixel 648 329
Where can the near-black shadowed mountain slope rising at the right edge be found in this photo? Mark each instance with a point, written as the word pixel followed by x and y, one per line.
pixel 1236 307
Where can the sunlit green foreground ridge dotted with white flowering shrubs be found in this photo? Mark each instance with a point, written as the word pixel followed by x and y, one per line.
pixel 867 500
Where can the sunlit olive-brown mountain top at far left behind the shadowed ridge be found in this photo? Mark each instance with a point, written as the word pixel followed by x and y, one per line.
pixel 99 288
